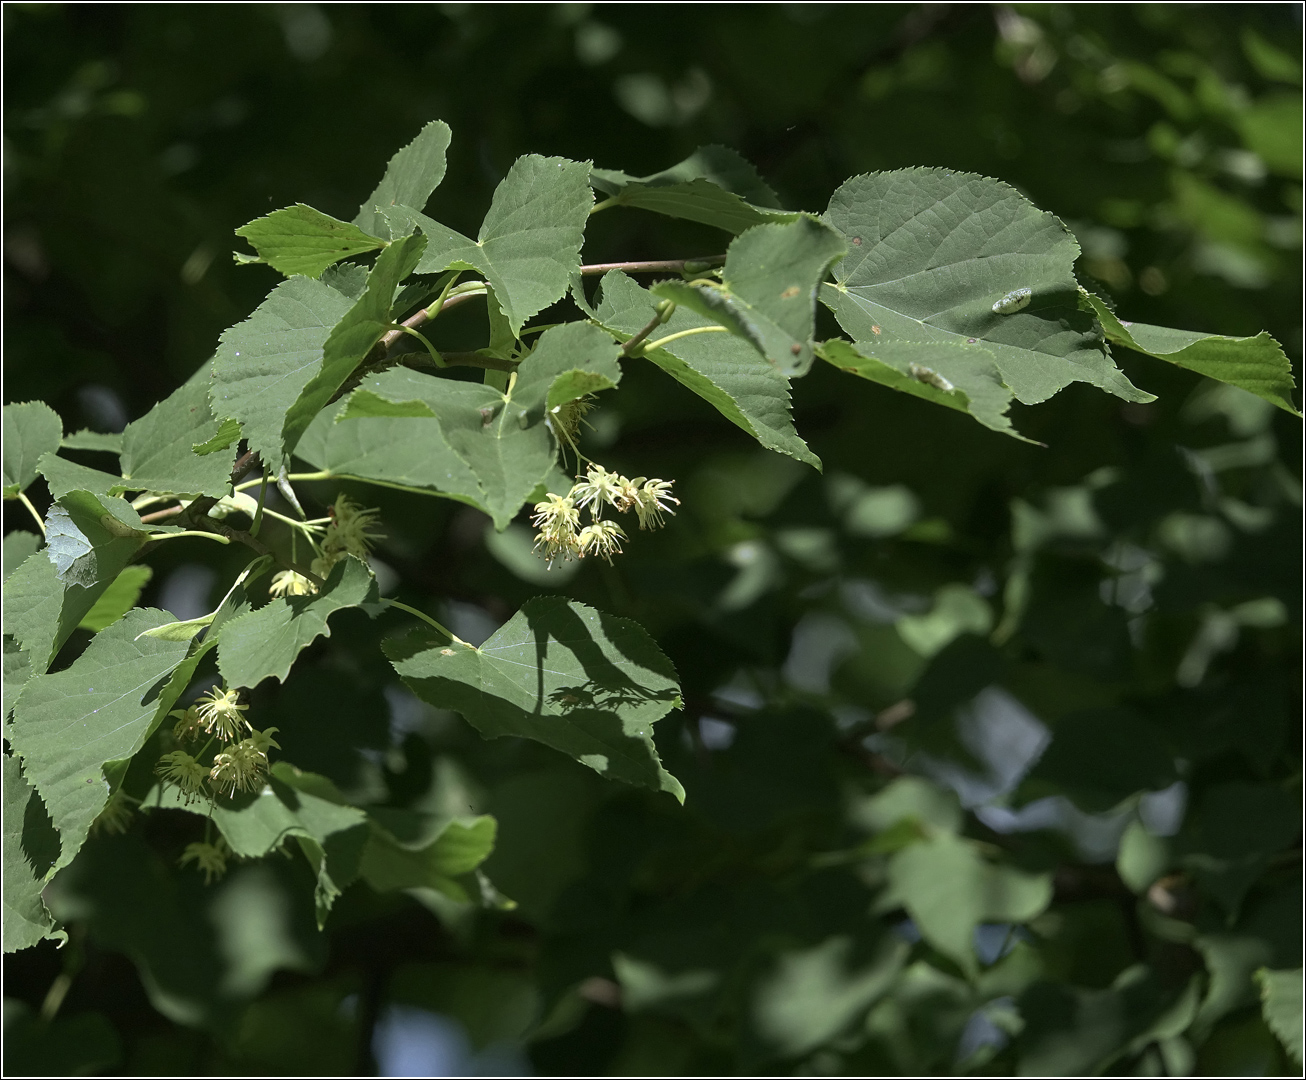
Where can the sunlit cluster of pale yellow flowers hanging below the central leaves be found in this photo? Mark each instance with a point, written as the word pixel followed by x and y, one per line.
pixel 558 518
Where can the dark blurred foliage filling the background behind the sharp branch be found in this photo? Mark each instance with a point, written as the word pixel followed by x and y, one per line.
pixel 1116 573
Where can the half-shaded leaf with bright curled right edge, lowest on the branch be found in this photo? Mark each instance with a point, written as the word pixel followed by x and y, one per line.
pixel 428 863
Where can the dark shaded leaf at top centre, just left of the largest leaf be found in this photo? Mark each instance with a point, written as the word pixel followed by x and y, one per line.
pixel 714 186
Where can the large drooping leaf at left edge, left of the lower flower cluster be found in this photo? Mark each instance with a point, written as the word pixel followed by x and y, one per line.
pixel 69 724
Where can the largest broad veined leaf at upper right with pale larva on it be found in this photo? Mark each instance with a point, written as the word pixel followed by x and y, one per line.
pixel 932 253
